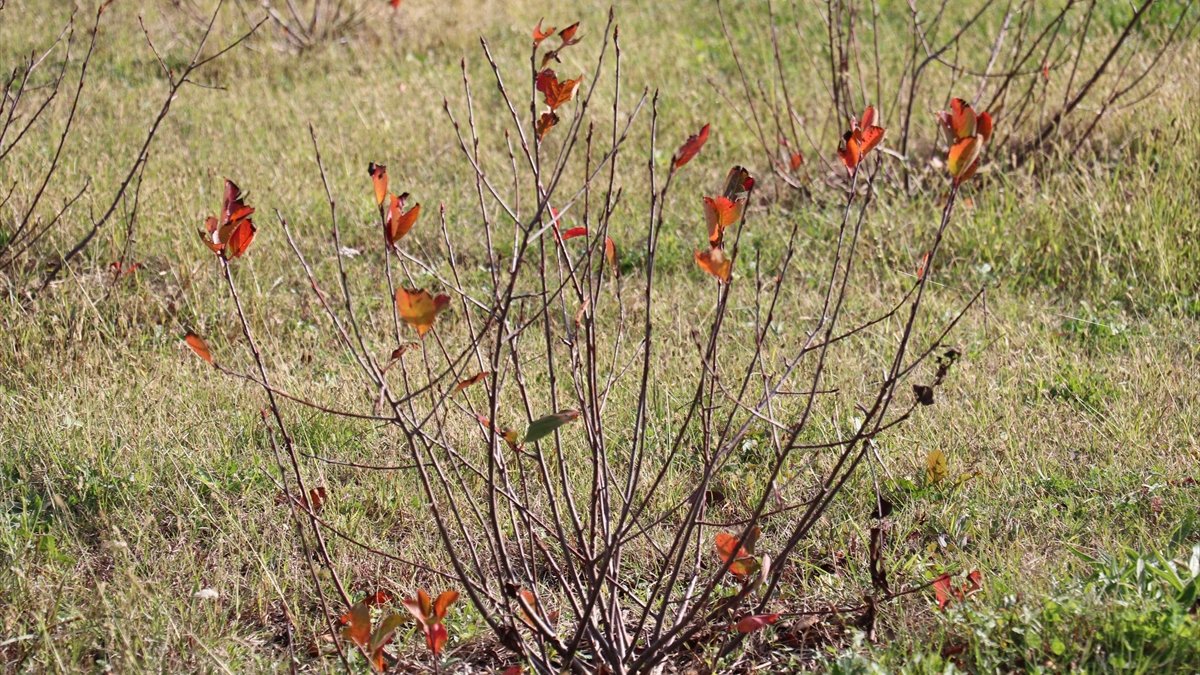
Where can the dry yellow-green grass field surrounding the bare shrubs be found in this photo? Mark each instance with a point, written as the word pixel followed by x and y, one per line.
pixel 133 477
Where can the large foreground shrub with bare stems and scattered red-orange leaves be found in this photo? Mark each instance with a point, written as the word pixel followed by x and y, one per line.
pixel 535 423
